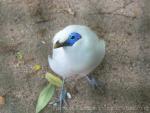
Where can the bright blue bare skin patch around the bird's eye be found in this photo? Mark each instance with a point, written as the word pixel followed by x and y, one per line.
pixel 73 38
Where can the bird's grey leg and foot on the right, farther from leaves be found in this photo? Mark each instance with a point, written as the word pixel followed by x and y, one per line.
pixel 96 84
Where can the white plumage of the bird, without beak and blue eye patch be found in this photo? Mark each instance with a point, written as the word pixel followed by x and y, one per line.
pixel 79 59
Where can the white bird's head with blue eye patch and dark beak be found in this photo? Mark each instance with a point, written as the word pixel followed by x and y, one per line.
pixel 71 36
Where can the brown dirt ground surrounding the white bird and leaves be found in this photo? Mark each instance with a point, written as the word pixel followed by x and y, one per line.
pixel 28 26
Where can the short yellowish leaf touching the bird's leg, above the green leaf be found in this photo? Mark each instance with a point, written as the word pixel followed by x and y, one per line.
pixel 53 79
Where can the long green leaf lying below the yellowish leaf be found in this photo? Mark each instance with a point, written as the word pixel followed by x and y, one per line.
pixel 44 97
